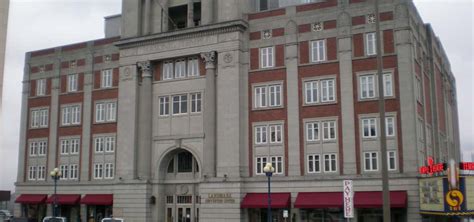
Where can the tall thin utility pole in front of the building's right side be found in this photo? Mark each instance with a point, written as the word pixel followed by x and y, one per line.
pixel 383 139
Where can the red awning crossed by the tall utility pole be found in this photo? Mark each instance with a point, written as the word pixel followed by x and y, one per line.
pixel 373 199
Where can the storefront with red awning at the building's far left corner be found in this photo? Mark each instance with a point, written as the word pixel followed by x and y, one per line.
pixel 33 206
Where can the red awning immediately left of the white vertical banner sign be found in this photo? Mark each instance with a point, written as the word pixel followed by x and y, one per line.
pixel 319 200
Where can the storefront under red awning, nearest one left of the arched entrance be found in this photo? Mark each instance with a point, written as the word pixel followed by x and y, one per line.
pixel 98 206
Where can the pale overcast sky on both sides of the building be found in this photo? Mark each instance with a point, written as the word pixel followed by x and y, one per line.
pixel 39 24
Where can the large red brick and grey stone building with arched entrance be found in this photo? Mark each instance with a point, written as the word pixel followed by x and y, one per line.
pixel 175 119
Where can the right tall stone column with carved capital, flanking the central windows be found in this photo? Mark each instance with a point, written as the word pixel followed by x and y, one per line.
pixel 209 150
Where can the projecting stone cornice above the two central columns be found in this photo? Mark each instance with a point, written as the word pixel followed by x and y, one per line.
pixel 188 33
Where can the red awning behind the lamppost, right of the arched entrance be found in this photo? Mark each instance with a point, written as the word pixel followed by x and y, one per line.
pixel 260 200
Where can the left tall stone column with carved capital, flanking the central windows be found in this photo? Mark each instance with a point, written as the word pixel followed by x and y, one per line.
pixel 144 121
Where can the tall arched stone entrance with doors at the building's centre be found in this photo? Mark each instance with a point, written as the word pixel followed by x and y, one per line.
pixel 180 176
